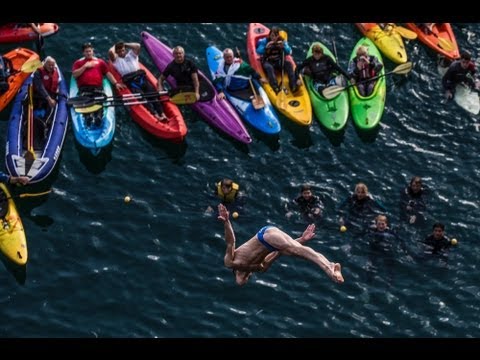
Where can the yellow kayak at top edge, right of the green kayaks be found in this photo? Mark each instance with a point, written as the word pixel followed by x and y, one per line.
pixel 388 41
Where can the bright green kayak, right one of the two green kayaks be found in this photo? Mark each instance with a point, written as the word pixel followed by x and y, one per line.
pixel 367 111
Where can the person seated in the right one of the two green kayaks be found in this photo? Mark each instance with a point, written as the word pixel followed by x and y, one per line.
pixel 362 68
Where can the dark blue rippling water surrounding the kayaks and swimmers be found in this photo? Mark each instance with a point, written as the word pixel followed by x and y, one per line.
pixel 99 267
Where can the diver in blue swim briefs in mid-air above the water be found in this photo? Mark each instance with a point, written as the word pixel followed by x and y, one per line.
pixel 259 253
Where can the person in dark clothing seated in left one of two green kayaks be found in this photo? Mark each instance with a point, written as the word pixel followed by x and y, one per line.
pixel 322 69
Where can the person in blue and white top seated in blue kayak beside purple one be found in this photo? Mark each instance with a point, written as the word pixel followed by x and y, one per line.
pixel 233 74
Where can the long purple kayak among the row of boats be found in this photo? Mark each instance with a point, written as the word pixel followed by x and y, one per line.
pixel 219 114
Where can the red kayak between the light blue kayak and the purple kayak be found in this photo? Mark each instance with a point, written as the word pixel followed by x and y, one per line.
pixel 174 129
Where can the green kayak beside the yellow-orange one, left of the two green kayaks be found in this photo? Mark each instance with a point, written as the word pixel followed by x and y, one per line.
pixel 333 113
